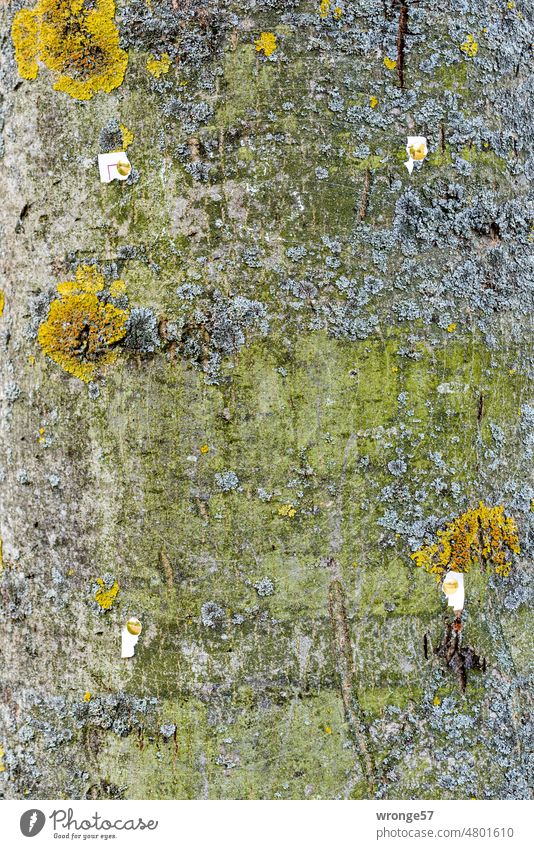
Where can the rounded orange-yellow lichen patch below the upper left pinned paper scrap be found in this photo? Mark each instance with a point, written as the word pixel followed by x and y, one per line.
pixel 81 331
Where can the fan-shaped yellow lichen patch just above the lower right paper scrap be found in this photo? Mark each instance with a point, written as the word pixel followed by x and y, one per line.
pixel 483 535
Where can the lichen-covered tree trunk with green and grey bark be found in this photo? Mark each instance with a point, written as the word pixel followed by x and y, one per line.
pixel 314 361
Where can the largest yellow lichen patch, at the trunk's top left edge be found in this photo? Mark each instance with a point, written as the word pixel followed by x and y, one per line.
pixel 79 43
